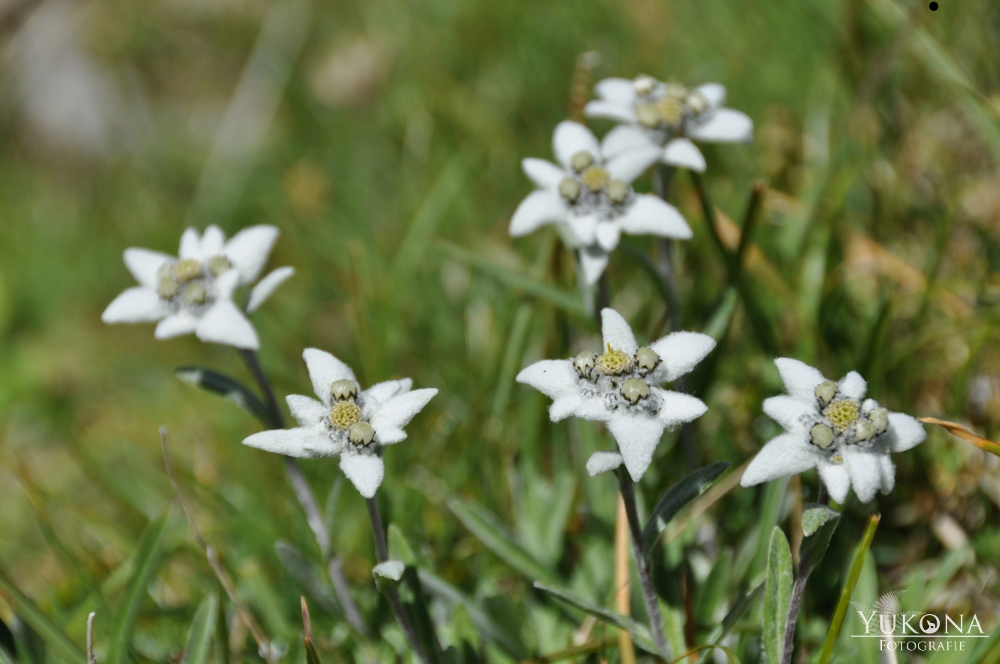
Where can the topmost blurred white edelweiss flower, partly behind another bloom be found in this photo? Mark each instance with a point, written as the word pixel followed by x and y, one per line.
pixel 655 113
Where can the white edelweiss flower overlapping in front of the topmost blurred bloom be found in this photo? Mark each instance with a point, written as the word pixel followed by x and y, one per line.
pixel 593 196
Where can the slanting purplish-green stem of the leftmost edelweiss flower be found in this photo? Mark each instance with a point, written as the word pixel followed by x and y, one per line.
pixel 307 500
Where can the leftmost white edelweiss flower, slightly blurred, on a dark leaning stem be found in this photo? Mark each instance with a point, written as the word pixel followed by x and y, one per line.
pixel 193 293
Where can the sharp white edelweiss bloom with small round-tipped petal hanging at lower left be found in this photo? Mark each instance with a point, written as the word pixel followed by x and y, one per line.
pixel 620 387
